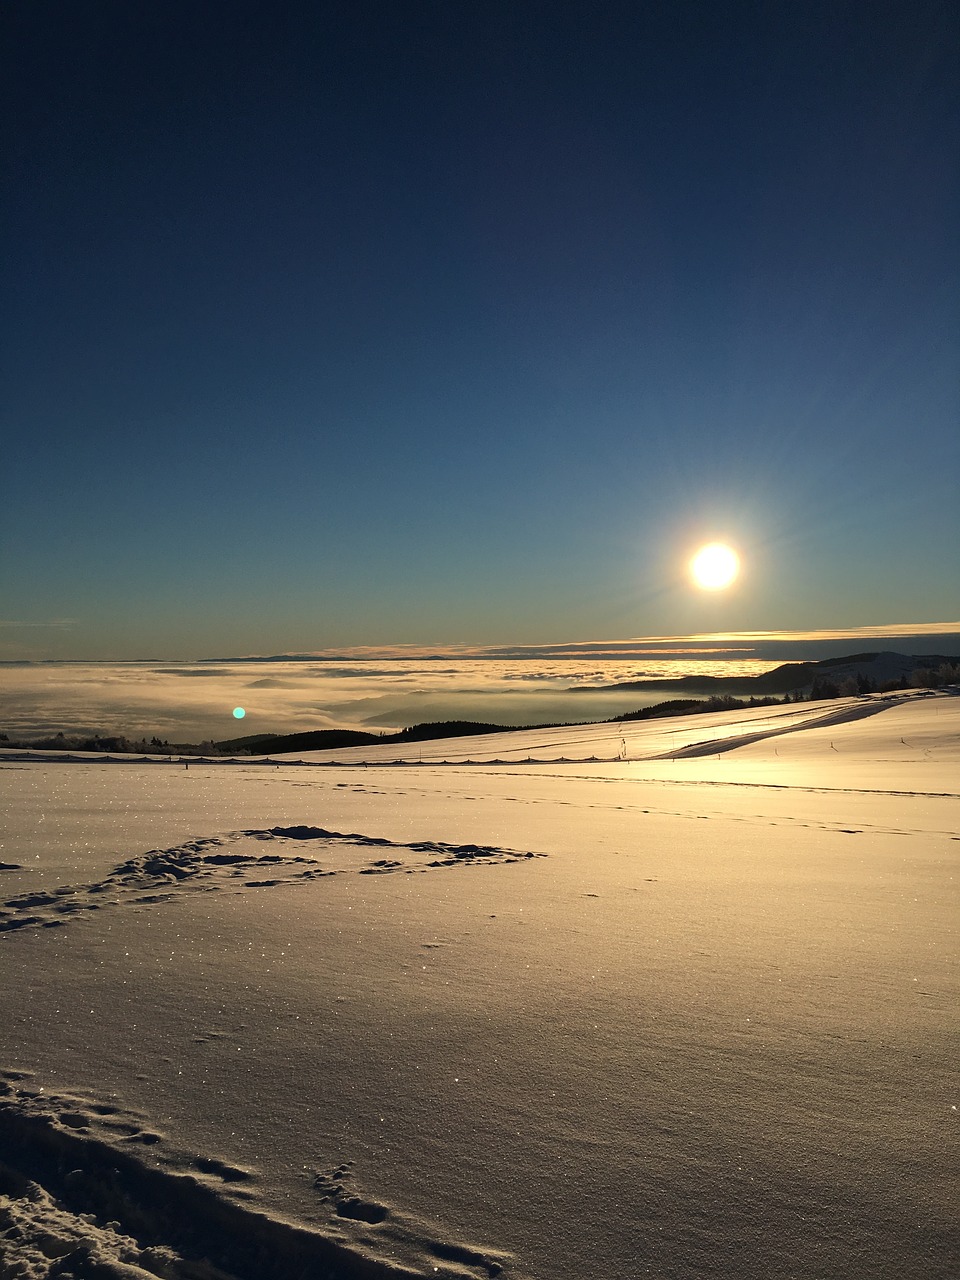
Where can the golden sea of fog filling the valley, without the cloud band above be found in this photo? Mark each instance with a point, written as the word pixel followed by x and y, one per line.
pixel 196 702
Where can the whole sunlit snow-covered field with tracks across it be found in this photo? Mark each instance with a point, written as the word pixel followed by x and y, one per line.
pixel 674 999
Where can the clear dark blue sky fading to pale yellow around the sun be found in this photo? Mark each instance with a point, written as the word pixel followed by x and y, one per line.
pixel 368 323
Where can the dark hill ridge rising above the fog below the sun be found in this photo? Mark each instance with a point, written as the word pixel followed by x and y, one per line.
pixel 794 676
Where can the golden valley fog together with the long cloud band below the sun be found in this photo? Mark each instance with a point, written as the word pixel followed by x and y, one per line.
pixel 195 702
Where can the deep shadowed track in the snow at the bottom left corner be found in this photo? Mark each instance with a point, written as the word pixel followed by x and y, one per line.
pixel 89 1191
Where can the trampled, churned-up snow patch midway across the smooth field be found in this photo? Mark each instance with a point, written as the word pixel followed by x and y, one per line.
pixel 231 861
